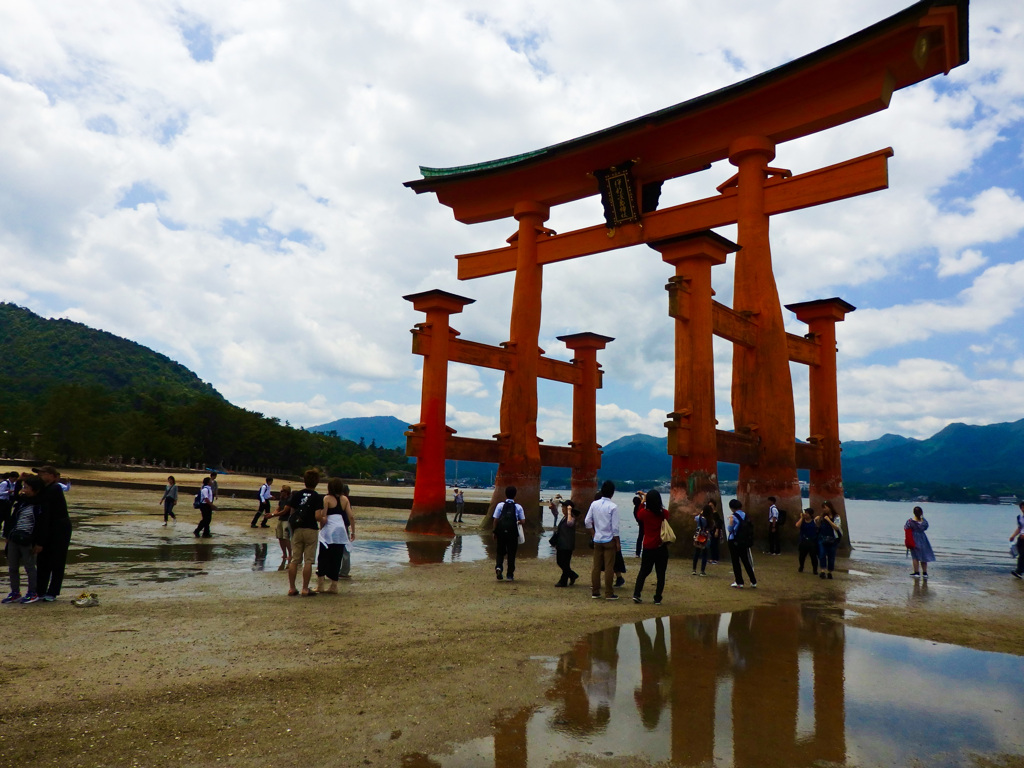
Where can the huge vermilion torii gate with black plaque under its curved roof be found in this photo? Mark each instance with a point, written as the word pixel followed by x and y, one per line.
pixel 627 165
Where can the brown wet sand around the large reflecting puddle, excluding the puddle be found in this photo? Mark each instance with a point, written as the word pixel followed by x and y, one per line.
pixel 225 669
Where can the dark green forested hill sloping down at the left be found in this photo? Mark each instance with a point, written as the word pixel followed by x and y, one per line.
pixel 71 394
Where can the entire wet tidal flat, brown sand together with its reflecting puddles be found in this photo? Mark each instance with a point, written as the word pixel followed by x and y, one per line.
pixel 197 657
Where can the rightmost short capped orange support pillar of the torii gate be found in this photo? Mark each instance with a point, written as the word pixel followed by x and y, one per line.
pixel 827 483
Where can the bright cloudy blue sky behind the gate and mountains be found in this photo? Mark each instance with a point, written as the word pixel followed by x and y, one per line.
pixel 223 183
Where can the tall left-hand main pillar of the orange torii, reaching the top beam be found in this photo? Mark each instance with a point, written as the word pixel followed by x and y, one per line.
pixel 519 412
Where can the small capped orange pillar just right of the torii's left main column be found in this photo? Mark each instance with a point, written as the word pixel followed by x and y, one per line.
pixel 585 348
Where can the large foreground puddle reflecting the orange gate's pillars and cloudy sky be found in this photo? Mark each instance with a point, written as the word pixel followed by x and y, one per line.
pixel 786 686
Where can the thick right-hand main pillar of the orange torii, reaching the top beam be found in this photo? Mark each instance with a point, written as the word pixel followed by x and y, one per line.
pixel 762 387
